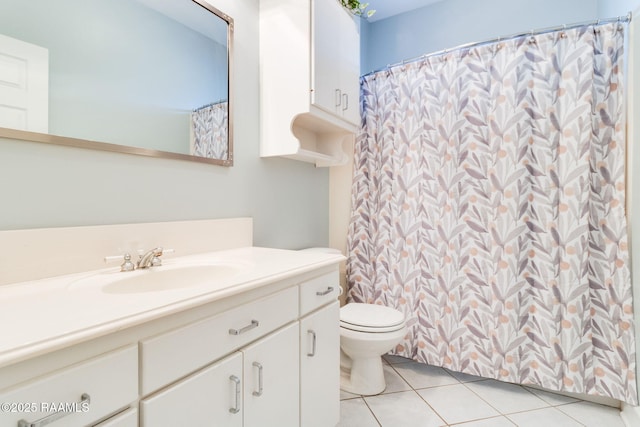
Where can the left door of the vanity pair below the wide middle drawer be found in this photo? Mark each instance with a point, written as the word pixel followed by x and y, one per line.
pixel 210 397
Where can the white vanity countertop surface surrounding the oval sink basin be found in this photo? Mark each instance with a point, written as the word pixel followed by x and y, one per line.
pixel 41 316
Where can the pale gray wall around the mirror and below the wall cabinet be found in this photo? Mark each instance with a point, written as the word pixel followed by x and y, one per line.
pixel 52 186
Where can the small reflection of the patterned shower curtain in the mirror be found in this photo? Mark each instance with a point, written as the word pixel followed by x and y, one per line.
pixel 209 131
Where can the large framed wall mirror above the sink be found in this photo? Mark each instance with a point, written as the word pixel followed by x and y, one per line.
pixel 147 77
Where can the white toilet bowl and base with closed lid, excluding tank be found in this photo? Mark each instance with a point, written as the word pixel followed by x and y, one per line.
pixel 367 331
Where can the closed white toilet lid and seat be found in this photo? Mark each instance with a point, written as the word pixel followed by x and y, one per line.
pixel 370 318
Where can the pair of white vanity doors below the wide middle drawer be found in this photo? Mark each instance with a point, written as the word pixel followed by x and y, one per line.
pixel 257 386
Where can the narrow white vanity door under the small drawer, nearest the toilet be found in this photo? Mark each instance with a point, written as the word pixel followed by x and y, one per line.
pixel 320 367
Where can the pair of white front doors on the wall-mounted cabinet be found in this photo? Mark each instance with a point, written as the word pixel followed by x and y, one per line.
pixel 335 60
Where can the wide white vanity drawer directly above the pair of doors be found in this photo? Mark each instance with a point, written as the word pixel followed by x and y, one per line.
pixel 201 343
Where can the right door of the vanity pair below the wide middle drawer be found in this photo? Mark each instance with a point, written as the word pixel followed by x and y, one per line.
pixel 272 373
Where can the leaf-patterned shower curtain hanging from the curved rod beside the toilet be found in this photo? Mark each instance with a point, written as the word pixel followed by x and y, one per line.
pixel 489 206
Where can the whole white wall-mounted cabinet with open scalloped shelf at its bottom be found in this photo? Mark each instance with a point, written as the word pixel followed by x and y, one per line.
pixel 310 63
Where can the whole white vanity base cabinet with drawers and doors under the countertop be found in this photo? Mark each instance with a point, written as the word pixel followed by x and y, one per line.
pixel 267 356
